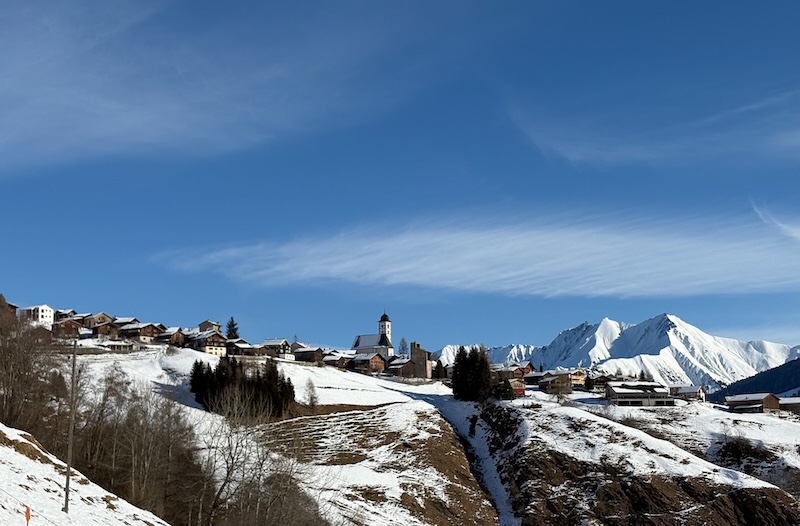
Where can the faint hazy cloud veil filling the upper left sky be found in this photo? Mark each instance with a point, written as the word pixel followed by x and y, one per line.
pixel 87 80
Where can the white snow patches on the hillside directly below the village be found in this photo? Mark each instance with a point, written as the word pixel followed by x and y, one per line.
pixel 600 437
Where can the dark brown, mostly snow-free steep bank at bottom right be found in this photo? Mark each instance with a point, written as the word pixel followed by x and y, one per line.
pixel 551 487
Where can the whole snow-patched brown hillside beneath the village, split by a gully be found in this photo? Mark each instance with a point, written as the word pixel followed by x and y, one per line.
pixel 401 459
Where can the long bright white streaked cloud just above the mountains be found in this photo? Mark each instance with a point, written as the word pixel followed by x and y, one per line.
pixel 585 257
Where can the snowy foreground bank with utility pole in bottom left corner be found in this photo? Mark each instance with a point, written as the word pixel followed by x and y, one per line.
pixel 31 477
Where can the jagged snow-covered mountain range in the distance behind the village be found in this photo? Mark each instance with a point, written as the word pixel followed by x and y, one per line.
pixel 665 347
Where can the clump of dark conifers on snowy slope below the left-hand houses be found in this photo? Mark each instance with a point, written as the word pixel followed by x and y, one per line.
pixel 263 391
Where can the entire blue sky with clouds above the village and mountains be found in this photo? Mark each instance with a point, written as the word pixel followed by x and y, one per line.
pixel 482 172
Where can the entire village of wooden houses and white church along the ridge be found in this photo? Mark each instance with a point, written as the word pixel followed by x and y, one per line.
pixel 372 354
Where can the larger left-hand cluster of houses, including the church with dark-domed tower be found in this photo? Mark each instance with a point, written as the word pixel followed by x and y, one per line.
pixel 370 353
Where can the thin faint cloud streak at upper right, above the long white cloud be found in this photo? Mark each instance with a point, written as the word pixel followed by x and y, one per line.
pixel 769 127
